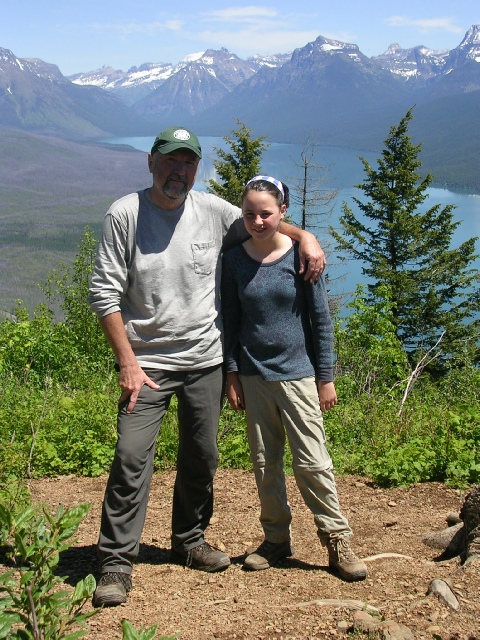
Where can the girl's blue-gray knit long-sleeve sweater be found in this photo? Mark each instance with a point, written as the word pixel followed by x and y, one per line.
pixel 276 324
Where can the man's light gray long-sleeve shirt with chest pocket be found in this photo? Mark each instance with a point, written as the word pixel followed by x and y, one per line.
pixel 161 269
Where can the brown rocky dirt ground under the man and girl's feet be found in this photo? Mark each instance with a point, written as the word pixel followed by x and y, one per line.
pixel 283 602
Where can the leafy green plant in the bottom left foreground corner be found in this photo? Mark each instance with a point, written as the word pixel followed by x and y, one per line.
pixel 32 604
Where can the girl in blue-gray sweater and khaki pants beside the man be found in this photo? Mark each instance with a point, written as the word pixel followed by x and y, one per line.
pixel 279 357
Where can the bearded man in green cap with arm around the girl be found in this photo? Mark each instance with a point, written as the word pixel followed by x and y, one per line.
pixel 155 290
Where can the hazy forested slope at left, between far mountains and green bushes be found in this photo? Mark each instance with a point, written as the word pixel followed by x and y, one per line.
pixel 50 189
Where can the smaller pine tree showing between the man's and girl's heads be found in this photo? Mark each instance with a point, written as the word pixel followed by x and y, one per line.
pixel 238 166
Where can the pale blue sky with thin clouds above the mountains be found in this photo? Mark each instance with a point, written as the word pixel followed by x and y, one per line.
pixel 84 35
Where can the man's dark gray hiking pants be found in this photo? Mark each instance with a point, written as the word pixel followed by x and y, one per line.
pixel 199 394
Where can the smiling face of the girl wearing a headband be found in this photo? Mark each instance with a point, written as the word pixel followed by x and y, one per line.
pixel 261 214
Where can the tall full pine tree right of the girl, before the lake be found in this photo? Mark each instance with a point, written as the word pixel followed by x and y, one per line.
pixel 434 288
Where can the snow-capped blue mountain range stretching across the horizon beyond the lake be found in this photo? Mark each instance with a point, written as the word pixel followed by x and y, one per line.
pixel 326 88
